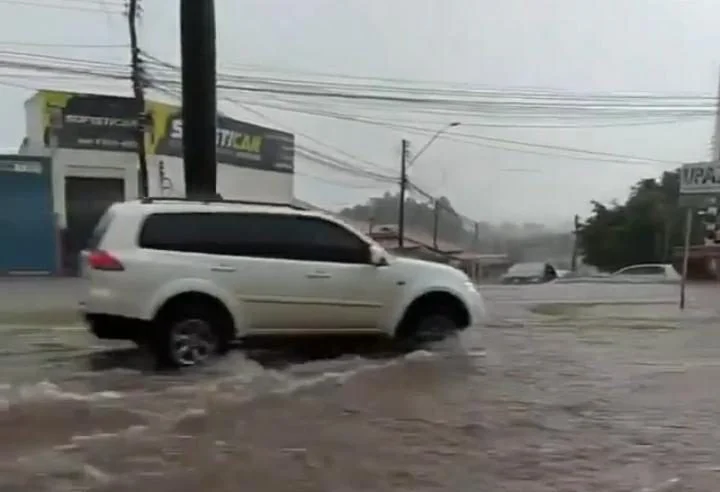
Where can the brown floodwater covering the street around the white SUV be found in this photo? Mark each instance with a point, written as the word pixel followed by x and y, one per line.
pixel 561 391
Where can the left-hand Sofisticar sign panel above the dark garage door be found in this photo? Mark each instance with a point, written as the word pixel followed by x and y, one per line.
pixel 89 121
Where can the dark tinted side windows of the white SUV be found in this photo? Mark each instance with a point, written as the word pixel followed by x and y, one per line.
pixel 253 234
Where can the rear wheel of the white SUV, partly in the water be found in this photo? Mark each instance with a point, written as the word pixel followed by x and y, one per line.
pixel 188 335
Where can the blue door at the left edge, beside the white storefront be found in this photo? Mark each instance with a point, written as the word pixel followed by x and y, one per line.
pixel 28 237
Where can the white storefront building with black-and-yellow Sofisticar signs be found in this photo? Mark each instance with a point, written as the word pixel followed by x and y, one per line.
pixel 91 144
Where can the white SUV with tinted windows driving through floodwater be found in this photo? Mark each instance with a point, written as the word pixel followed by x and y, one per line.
pixel 187 277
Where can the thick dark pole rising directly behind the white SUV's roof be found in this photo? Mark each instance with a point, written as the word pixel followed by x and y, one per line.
pixel 199 98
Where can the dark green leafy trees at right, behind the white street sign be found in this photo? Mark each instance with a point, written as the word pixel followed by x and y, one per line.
pixel 644 229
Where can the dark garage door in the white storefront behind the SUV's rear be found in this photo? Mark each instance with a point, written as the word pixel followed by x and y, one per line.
pixel 86 200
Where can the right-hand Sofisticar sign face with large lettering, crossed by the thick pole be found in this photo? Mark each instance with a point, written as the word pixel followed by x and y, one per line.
pixel 238 143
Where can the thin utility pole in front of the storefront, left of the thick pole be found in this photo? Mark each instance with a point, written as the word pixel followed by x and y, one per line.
pixel 138 85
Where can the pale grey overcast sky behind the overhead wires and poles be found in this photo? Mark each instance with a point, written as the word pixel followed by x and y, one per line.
pixel 656 46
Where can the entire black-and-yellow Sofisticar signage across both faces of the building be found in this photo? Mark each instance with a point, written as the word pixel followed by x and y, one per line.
pixel 98 122
